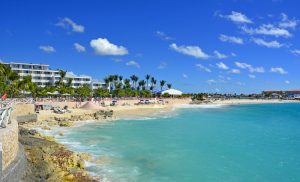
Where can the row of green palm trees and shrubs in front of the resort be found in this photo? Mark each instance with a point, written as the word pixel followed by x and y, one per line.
pixel 116 86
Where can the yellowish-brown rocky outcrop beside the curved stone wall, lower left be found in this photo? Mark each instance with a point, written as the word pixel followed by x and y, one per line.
pixel 50 161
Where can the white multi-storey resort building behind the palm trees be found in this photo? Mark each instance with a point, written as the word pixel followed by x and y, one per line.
pixel 43 76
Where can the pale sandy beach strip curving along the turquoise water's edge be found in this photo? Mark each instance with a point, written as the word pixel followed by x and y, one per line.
pixel 129 112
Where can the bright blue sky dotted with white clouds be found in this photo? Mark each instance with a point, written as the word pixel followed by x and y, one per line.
pixel 232 46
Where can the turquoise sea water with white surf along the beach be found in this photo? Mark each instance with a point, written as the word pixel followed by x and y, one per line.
pixel 255 143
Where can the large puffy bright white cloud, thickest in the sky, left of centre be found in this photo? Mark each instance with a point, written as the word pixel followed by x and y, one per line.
pixel 104 48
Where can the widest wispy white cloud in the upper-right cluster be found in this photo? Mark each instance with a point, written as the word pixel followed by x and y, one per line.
pixel 267 29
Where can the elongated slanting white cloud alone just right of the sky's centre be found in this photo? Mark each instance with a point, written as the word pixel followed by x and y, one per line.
pixel 194 51
